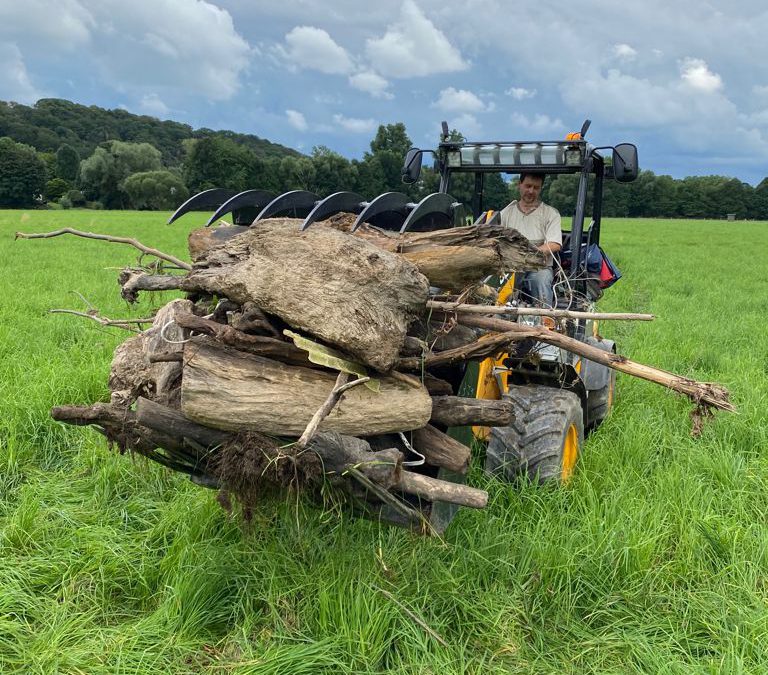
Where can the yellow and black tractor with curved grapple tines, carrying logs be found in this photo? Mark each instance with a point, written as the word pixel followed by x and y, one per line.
pixel 556 395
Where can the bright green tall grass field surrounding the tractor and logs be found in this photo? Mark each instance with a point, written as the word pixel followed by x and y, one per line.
pixel 654 559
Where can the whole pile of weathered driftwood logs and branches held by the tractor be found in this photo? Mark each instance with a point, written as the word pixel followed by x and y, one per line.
pixel 299 360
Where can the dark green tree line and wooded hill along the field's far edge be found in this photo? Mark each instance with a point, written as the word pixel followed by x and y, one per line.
pixel 51 154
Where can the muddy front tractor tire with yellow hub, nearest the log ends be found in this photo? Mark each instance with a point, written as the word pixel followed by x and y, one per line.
pixel 544 439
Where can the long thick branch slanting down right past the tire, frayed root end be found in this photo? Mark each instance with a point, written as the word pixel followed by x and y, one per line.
pixel 706 393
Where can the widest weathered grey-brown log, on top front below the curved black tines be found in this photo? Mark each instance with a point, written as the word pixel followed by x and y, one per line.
pixel 338 287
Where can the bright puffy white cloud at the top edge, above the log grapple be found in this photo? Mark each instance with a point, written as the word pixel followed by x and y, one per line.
pixel 413 47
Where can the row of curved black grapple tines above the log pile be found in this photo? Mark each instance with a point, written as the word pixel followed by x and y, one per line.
pixel 389 211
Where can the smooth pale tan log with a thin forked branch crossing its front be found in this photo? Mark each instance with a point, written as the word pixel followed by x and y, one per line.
pixel 227 389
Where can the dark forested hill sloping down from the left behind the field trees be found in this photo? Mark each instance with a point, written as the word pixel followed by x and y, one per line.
pixel 52 122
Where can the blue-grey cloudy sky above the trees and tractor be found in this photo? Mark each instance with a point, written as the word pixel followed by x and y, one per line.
pixel 685 80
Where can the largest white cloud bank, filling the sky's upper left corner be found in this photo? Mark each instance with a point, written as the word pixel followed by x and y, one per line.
pixel 139 47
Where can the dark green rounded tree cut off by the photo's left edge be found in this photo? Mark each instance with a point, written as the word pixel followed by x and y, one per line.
pixel 22 174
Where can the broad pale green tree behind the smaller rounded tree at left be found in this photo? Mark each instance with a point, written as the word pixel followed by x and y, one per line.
pixel 103 174
